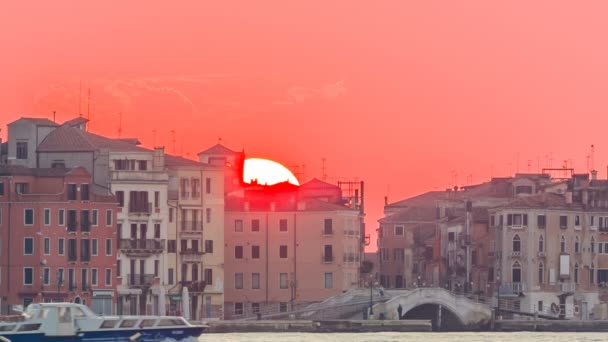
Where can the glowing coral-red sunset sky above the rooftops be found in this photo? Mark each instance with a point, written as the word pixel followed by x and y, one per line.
pixel 407 96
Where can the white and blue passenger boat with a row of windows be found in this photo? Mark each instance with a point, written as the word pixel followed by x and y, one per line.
pixel 76 322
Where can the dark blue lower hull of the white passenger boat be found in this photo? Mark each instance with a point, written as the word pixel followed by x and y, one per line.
pixel 151 335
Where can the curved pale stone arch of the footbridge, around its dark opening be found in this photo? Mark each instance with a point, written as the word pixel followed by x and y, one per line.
pixel 468 313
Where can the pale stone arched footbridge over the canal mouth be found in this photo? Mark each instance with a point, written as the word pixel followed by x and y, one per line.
pixel 443 307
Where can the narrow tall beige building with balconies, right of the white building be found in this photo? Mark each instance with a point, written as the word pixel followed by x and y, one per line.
pixel 195 255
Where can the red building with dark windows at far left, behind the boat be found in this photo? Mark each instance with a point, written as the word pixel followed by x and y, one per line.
pixel 57 238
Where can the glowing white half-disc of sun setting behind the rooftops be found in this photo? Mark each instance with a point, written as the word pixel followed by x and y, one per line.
pixel 267 172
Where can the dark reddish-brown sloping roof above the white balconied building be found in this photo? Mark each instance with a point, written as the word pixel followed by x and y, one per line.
pixel 71 139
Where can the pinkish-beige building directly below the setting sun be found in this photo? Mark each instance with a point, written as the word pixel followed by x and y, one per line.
pixel 288 245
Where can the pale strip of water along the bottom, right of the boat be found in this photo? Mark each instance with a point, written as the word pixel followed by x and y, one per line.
pixel 414 337
